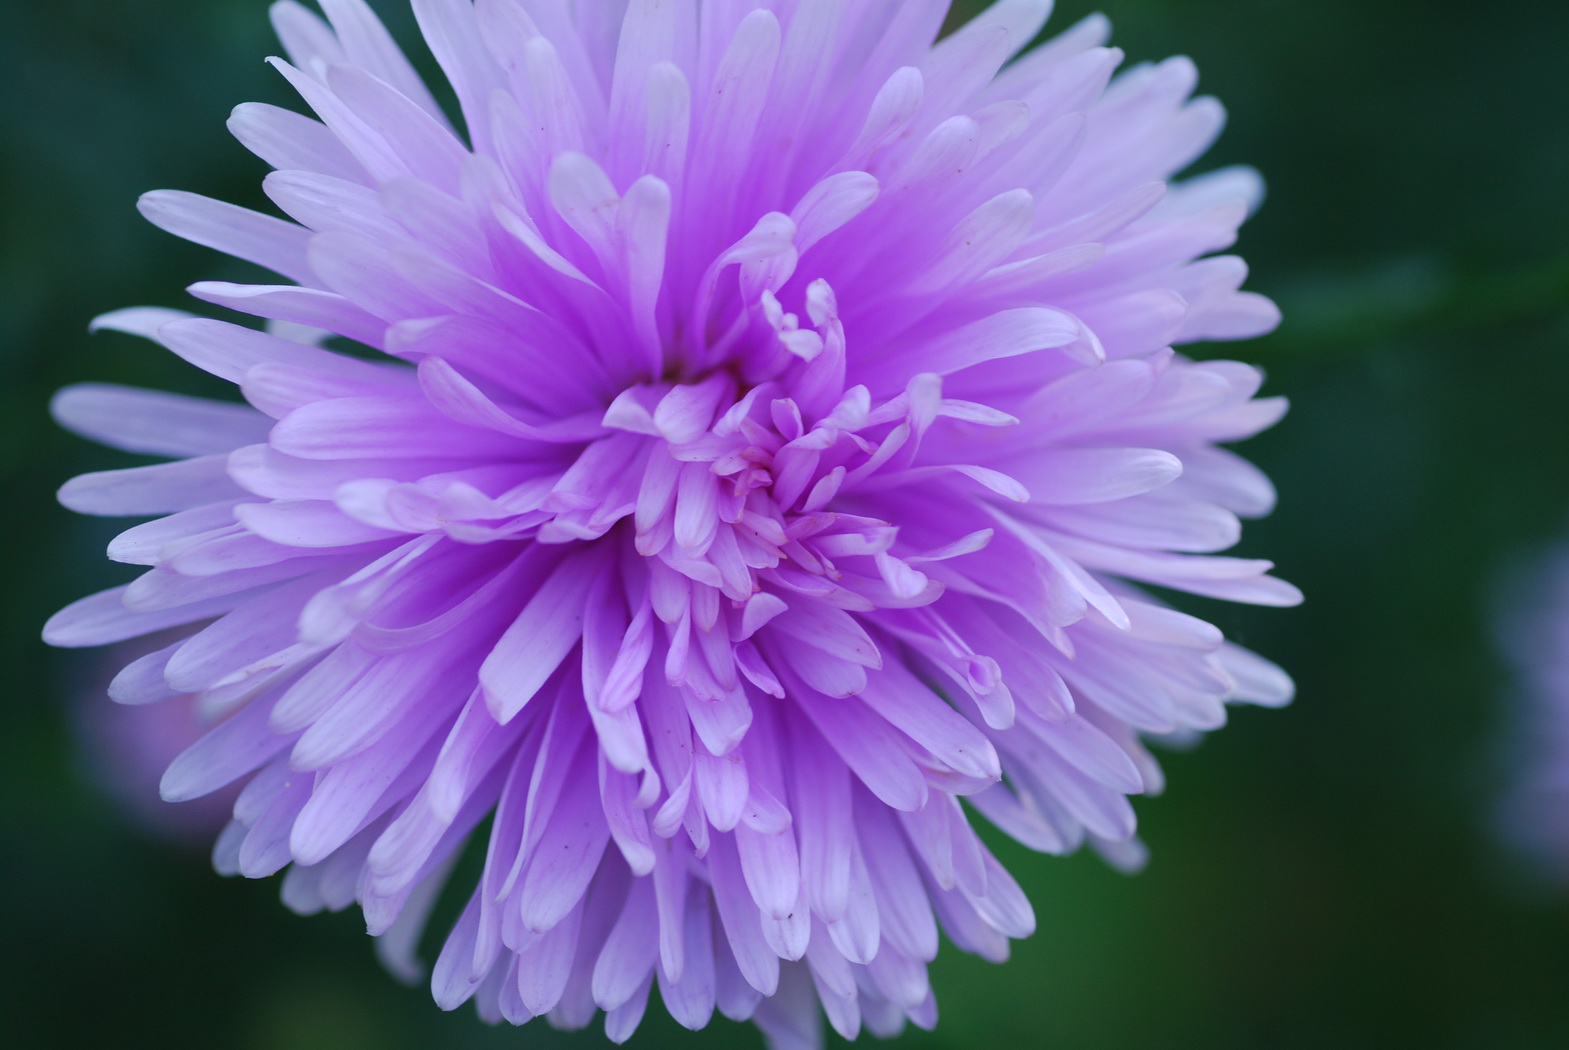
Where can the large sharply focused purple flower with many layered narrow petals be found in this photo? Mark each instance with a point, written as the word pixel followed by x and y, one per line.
pixel 771 425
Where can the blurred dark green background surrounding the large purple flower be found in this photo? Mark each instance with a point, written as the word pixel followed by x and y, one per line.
pixel 1323 877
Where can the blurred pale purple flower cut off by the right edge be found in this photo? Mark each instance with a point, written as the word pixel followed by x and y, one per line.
pixel 1534 635
